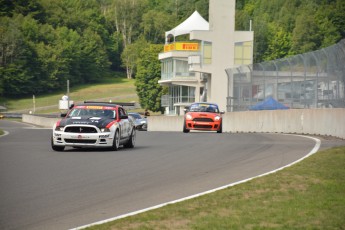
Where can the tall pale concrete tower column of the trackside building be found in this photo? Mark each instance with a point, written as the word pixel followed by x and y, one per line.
pixel 223 37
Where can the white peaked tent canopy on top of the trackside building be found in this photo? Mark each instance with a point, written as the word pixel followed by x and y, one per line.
pixel 194 22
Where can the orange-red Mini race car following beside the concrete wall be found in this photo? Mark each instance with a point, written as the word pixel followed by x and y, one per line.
pixel 203 116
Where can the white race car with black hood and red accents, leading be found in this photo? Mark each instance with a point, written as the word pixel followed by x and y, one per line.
pixel 94 125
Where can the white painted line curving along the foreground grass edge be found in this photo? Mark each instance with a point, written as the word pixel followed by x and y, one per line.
pixel 314 150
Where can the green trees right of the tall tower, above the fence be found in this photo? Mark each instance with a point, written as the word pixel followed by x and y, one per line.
pixel 283 28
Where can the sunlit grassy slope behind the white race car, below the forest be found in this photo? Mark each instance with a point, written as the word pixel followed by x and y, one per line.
pixel 115 89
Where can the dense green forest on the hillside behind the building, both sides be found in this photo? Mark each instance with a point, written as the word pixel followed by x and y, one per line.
pixel 44 43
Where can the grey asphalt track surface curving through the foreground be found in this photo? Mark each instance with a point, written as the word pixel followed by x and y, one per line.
pixel 43 189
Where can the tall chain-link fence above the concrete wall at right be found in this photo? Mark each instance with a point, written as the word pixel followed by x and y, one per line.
pixel 311 80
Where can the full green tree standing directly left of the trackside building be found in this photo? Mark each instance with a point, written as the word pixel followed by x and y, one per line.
pixel 148 74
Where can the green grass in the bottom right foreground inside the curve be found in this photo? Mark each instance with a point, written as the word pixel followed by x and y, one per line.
pixel 308 195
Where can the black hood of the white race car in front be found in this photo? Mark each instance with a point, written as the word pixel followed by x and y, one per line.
pixel 99 122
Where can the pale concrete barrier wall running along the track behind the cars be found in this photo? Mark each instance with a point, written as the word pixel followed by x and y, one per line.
pixel 329 122
